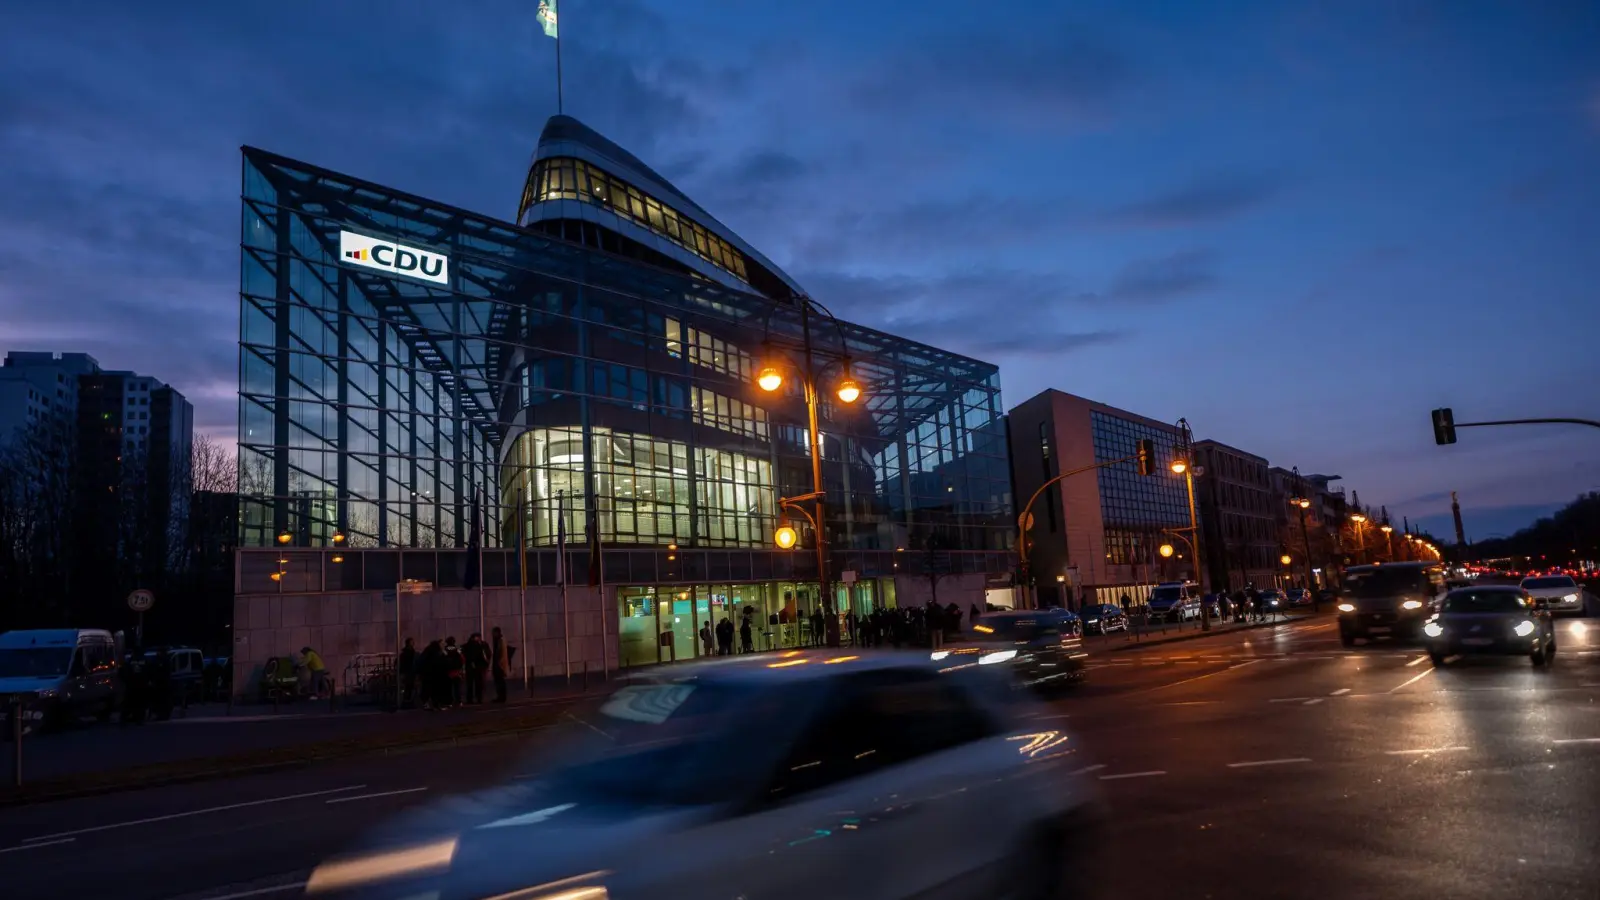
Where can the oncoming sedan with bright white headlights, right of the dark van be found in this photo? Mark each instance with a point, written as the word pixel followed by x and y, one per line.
pixel 1492 619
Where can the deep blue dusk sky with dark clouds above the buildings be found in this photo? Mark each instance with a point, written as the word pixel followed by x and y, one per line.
pixel 1300 225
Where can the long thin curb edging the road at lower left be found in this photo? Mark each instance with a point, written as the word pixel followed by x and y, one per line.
pixel 255 763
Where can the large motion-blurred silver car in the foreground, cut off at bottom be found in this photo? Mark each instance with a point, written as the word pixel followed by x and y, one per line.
pixel 785 777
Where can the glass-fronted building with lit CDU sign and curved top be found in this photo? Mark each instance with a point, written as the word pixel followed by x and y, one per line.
pixel 414 376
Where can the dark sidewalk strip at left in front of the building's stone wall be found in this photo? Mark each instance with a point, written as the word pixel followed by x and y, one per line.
pixel 215 739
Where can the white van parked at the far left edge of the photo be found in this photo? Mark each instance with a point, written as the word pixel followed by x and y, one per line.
pixel 60 675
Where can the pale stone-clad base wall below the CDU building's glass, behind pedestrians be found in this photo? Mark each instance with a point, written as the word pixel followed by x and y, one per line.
pixel 343 625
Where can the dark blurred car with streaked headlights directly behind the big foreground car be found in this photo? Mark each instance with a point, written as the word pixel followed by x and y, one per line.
pixel 1036 648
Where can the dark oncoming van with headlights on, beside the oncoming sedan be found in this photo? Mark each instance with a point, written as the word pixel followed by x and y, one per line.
pixel 1390 600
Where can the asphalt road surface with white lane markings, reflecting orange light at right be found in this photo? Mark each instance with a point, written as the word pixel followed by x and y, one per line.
pixel 1260 765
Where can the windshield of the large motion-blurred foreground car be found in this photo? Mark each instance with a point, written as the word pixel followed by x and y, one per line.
pixel 682 744
